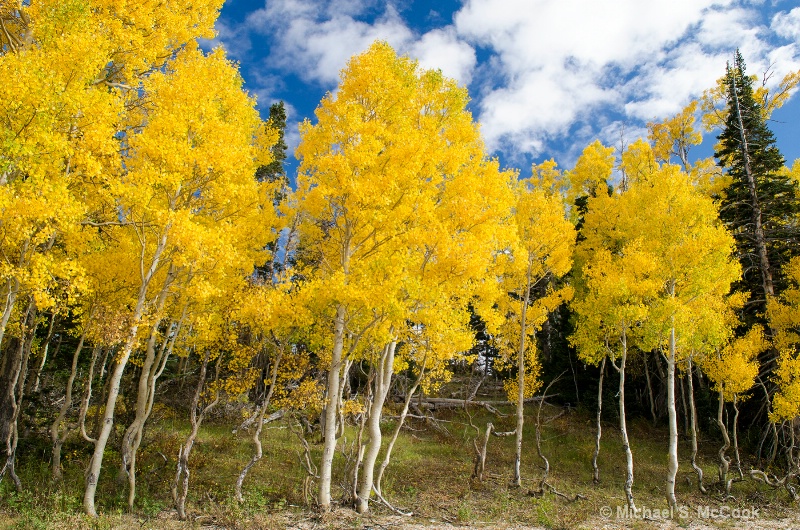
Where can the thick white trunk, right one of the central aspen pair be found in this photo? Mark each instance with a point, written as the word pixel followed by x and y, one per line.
pixel 383 381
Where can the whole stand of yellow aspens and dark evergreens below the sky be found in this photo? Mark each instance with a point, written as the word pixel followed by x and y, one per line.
pixel 149 234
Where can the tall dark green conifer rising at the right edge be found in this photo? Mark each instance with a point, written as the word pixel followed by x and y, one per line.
pixel 759 203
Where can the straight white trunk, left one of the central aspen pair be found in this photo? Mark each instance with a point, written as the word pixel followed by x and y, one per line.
pixel 331 413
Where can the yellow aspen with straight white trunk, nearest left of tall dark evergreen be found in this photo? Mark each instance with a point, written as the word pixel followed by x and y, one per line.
pixel 680 228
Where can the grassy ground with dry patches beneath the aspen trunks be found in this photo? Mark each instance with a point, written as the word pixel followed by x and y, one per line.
pixel 429 476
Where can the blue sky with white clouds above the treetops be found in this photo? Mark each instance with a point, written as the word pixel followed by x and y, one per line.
pixel 546 77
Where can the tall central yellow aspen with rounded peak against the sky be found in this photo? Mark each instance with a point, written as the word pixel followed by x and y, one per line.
pixel 384 148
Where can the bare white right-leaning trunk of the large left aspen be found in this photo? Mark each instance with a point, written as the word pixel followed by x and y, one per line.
pixel 96 462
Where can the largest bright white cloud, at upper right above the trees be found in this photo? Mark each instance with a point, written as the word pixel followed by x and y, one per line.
pixel 563 62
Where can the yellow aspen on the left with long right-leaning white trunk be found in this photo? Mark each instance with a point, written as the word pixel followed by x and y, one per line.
pixel 189 196
